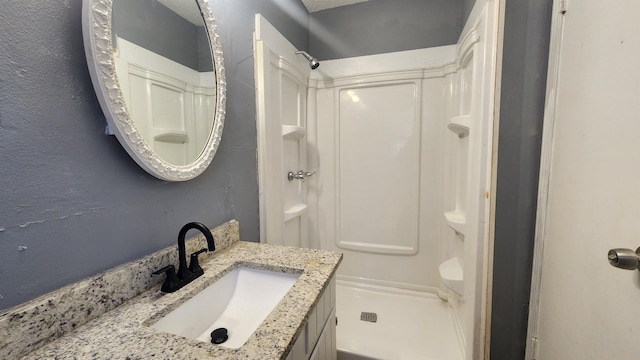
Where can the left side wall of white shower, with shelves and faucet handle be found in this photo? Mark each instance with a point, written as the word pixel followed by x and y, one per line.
pixel 281 82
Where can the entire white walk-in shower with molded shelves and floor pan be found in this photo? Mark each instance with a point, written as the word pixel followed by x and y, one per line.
pixel 399 145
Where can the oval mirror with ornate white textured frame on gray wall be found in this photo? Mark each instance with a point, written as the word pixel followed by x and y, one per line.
pixel 158 71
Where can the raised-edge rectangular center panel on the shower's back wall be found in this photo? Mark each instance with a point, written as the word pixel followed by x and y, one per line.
pixel 378 131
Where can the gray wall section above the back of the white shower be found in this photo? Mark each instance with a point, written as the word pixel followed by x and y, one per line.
pixel 382 26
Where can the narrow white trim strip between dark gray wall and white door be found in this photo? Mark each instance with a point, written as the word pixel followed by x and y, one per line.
pixel 557 22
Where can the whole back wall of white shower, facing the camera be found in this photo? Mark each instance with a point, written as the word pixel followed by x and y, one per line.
pixel 379 134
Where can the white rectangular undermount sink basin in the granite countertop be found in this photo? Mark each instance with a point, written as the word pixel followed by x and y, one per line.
pixel 239 302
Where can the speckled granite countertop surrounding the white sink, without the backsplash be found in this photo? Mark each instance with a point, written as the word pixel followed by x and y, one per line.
pixel 122 333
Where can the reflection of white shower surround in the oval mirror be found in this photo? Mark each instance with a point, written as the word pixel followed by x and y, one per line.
pixel 176 133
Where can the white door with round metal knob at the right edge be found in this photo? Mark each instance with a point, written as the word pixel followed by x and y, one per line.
pixel 589 309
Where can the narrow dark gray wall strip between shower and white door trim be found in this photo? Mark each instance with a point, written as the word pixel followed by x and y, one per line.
pixel 524 75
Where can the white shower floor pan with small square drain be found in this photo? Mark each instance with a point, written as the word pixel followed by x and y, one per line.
pixel 410 325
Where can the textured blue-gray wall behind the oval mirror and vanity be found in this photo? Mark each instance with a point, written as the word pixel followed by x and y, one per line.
pixel 72 195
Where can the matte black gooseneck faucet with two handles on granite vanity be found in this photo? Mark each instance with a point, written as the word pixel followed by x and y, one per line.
pixel 186 274
